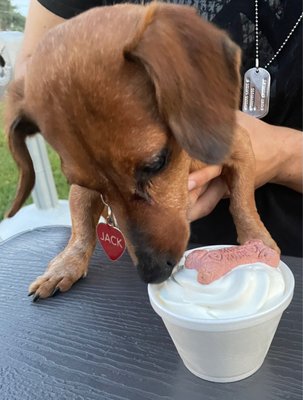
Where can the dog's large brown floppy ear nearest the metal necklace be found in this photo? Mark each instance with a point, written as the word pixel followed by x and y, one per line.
pixel 194 67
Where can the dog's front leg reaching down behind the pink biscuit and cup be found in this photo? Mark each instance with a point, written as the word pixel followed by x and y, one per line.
pixel 239 173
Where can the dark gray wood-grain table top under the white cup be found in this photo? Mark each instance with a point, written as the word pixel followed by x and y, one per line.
pixel 102 340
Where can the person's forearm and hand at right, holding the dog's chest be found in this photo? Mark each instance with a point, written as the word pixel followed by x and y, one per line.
pixel 279 159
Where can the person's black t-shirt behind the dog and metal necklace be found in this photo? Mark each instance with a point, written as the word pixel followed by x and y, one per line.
pixel 280 208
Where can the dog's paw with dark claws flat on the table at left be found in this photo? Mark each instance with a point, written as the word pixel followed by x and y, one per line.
pixel 60 275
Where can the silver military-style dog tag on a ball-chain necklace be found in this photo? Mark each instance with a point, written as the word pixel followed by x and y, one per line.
pixel 256 85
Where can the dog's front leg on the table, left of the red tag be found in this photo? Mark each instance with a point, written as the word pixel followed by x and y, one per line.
pixel 72 263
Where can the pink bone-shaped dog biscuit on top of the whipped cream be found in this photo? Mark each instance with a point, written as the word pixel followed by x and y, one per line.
pixel 213 264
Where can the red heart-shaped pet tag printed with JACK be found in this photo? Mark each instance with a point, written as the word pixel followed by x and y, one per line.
pixel 112 240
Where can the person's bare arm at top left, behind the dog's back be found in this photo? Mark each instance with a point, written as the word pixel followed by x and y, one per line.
pixel 38 22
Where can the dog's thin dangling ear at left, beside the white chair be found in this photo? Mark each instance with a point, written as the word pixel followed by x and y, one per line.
pixel 18 126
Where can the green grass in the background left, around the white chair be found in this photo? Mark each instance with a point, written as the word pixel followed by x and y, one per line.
pixel 9 173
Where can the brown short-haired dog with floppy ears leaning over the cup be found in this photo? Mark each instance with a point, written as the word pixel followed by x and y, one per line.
pixel 133 98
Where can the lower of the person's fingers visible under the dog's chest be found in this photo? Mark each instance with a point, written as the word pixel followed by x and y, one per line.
pixel 204 204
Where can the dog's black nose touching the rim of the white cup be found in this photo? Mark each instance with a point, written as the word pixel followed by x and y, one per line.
pixel 155 270
